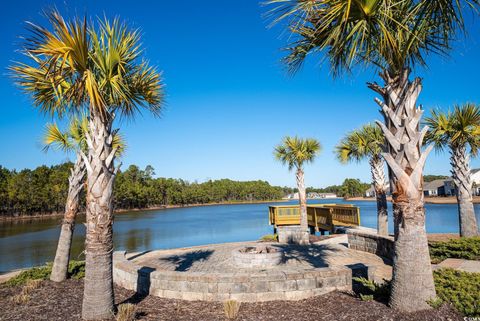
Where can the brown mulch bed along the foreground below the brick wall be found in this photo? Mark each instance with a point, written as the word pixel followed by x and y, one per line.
pixel 62 301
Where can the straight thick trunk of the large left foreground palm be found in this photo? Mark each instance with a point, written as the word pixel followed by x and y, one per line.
pixel 98 297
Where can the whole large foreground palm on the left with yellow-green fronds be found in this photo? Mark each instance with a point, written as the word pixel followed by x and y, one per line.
pixel 96 68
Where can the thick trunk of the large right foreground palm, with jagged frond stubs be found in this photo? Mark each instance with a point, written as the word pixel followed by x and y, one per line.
pixel 412 282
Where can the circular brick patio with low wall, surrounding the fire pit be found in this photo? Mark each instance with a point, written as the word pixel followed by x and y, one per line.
pixel 209 272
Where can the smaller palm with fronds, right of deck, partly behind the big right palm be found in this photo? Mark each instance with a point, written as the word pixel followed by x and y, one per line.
pixel 367 143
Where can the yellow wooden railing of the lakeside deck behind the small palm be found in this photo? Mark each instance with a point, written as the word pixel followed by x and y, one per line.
pixel 322 217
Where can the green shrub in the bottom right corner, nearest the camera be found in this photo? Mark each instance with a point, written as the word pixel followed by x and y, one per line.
pixel 461 289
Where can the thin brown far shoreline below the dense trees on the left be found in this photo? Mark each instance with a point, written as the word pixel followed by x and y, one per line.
pixel 123 211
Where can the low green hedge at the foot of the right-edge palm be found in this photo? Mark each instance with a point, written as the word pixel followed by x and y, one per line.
pixel 463 248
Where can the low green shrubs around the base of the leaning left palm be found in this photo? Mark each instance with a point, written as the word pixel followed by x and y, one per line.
pixel 76 270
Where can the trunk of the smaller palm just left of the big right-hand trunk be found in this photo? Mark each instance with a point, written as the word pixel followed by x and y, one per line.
pixel 378 177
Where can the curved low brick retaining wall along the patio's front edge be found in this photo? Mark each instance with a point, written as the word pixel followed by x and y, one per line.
pixel 246 287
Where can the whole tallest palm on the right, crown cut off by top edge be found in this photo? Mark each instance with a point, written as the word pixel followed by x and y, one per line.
pixel 393 37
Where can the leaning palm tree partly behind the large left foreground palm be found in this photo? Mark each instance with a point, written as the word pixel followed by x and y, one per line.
pixel 71 140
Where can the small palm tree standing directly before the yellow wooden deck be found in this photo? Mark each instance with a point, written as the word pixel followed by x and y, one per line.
pixel 295 152
